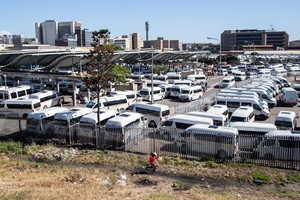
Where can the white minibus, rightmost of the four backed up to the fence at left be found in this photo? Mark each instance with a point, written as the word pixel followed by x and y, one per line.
pixel 124 128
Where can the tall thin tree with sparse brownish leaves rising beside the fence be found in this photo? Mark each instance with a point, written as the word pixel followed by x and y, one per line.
pixel 100 74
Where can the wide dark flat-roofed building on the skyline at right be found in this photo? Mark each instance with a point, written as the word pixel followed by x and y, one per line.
pixel 232 39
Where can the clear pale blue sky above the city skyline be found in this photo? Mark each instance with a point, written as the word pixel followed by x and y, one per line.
pixel 187 20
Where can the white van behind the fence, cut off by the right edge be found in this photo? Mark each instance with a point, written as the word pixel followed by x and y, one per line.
pixel 280 145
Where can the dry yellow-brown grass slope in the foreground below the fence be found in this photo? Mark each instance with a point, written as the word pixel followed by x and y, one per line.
pixel 82 177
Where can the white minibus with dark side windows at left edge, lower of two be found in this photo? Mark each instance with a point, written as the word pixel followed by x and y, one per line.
pixel 19 108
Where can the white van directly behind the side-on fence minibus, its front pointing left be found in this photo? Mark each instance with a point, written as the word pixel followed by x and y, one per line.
pixel 173 126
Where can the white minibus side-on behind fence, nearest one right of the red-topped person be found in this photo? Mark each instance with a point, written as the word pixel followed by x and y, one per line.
pixel 218 141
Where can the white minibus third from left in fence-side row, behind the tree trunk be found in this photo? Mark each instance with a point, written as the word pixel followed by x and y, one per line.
pixel 88 125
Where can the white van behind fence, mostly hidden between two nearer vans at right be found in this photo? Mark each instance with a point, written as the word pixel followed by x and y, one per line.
pixel 250 134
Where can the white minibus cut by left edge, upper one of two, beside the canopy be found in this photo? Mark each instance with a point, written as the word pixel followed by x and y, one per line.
pixel 15 92
